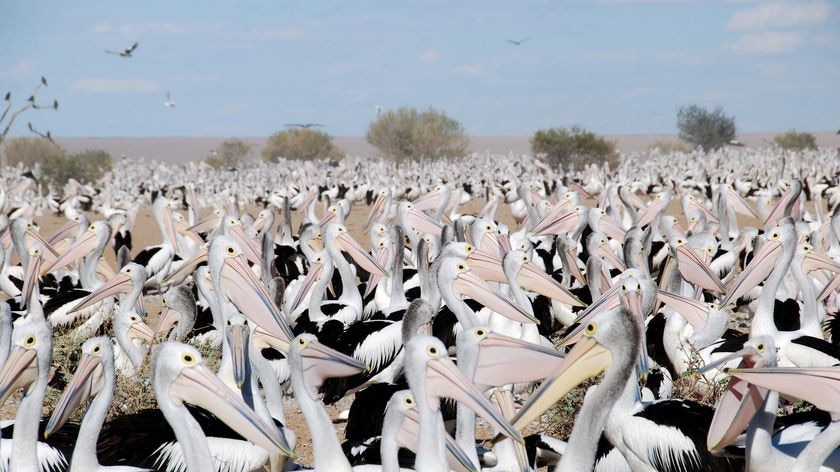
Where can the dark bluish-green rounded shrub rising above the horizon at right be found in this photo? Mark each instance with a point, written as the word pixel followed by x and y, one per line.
pixel 707 129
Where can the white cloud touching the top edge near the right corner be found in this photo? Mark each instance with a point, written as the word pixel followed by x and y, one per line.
pixel 778 15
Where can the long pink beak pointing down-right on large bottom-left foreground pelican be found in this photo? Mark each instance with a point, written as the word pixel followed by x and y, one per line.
pixel 199 386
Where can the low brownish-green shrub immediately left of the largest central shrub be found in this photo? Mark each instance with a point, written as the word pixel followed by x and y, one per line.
pixel 300 143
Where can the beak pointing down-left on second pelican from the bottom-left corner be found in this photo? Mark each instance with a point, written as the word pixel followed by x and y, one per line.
pixel 87 382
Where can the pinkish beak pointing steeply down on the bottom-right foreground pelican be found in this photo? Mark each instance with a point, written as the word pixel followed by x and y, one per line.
pixel 734 411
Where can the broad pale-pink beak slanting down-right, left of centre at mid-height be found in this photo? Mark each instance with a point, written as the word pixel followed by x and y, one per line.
pixel 251 297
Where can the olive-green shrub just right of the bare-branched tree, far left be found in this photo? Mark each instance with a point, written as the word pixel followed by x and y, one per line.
pixel 86 167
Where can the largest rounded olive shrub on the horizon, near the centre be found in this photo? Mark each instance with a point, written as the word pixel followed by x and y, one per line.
pixel 408 134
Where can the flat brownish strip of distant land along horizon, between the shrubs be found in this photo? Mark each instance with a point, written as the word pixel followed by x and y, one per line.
pixel 183 149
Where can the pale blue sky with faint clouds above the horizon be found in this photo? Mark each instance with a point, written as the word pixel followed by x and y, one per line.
pixel 245 68
